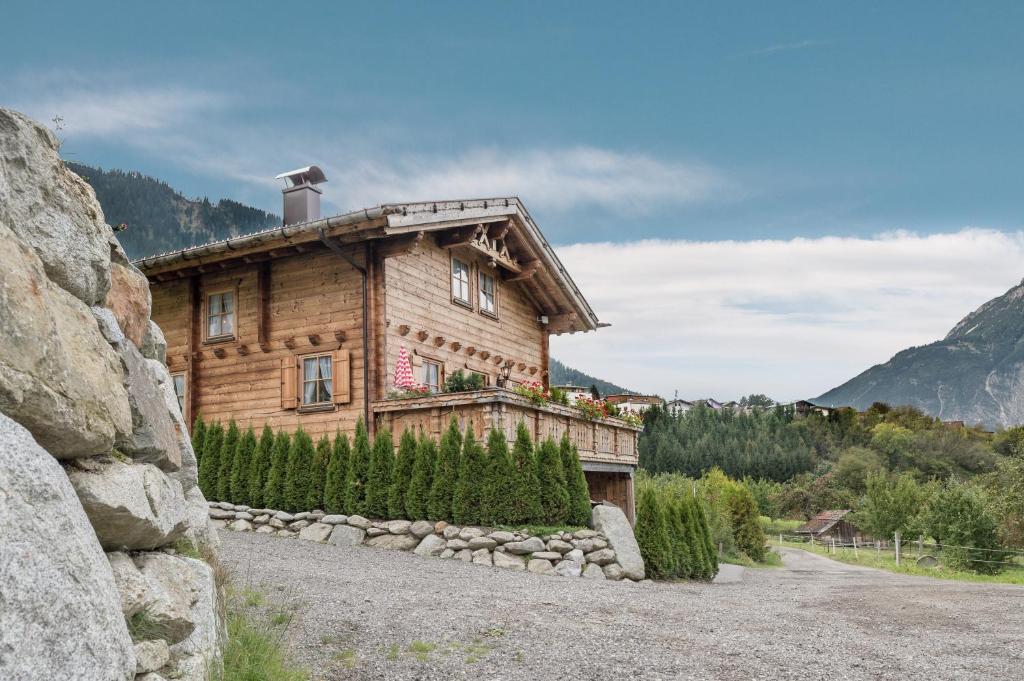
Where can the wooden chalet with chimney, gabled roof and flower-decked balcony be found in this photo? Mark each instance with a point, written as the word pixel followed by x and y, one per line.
pixel 305 324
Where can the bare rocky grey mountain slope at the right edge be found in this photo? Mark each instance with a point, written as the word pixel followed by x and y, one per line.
pixel 975 374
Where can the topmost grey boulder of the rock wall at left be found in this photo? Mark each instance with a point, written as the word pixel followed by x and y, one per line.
pixel 53 210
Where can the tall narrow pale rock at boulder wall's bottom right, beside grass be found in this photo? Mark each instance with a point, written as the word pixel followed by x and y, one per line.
pixel 197 657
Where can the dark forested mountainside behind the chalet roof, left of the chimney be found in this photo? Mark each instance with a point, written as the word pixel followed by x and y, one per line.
pixel 159 219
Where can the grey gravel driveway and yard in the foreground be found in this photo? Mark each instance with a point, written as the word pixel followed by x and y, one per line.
pixel 370 614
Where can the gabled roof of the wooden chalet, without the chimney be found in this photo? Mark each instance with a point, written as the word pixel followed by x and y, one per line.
pixel 550 286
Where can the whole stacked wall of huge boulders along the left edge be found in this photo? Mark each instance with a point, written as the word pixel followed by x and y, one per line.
pixel 95 454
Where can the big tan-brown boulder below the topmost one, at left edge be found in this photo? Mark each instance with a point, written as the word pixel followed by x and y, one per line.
pixel 59 377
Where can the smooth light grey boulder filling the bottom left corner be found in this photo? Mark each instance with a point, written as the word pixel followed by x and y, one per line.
pixel 61 613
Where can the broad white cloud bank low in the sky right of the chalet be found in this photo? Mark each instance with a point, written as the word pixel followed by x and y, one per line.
pixel 792 319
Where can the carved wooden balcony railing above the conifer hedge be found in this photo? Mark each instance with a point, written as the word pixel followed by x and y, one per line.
pixel 600 441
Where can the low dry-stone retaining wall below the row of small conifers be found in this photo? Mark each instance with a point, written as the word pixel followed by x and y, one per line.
pixel 586 554
